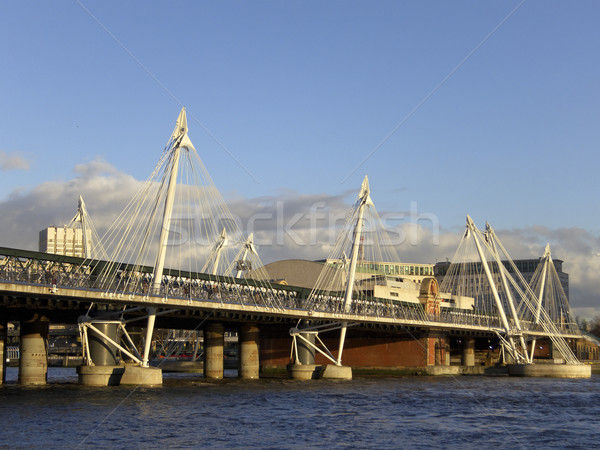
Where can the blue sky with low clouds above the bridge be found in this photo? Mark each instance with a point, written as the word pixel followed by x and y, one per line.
pixel 451 108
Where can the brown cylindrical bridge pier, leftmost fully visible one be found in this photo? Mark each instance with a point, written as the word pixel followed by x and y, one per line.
pixel 33 361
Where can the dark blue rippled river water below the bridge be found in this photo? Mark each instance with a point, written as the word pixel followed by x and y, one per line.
pixel 387 412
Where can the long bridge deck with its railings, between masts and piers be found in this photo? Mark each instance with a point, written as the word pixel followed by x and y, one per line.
pixel 58 278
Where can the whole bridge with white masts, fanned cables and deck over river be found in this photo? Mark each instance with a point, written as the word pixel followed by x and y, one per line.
pixel 145 276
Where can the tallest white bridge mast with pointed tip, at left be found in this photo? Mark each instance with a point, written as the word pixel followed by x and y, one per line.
pixel 179 139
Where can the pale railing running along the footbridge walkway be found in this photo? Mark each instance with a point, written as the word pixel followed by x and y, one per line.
pixel 65 275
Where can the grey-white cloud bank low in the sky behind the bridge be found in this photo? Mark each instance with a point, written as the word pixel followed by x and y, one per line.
pixel 294 225
